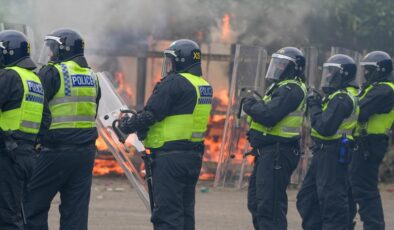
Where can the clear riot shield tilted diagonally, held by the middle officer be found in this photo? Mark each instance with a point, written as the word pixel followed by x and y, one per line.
pixel 129 154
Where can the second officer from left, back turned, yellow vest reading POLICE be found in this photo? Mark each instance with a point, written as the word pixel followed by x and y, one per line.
pixel 67 156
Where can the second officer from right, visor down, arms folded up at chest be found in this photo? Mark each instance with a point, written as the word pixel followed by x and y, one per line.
pixel 322 200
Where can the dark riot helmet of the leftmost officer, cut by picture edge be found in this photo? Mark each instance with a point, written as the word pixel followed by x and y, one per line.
pixel 15 49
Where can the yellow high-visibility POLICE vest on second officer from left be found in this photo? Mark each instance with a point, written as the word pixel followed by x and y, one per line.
pixel 74 105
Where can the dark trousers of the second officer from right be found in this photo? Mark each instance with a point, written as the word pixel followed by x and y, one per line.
pixel 323 198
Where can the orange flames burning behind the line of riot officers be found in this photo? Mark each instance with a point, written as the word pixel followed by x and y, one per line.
pixel 107 164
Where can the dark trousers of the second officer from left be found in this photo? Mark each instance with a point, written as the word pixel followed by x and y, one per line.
pixel 67 170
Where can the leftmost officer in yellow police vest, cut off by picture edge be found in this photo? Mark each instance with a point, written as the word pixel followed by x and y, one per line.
pixel 22 103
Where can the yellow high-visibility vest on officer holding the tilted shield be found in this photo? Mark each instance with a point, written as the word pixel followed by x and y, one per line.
pixel 191 127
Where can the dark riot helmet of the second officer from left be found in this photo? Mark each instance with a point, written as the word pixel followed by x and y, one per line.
pixel 64 45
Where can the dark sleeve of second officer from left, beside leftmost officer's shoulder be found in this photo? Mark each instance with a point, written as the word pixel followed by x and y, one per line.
pixel 50 80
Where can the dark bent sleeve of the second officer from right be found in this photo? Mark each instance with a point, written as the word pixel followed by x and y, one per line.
pixel 328 121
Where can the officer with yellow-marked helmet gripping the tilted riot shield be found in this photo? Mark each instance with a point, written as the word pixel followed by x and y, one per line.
pixel 176 115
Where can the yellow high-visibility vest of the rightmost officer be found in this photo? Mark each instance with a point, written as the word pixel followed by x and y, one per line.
pixel 377 123
